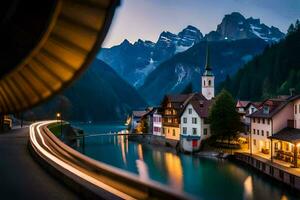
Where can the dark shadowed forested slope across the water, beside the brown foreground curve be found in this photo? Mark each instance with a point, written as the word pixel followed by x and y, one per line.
pixel 99 95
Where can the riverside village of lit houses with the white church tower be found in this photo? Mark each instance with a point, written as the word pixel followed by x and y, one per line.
pixel 269 129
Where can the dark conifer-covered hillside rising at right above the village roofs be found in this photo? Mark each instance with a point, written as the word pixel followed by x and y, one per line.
pixel 272 73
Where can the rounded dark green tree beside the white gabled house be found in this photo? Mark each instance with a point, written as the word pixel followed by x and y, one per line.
pixel 223 117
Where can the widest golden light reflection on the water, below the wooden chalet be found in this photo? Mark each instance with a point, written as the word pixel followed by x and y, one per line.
pixel 174 169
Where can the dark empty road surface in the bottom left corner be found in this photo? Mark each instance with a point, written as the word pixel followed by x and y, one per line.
pixel 21 177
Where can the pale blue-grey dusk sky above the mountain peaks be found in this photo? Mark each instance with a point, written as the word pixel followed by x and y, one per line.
pixel 146 19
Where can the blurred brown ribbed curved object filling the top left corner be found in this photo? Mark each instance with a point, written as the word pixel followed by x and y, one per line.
pixel 43 50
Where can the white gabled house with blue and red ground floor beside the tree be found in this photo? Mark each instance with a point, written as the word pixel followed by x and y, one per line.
pixel 194 126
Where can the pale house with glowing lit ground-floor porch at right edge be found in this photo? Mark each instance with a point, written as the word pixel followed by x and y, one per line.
pixel 275 128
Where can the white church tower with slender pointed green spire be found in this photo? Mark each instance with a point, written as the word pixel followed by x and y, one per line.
pixel 208 79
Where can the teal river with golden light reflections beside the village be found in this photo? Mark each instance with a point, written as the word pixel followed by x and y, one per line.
pixel 204 178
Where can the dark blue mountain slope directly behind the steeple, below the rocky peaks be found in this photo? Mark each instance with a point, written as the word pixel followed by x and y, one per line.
pixel 173 75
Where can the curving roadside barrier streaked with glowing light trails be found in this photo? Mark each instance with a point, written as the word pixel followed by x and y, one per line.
pixel 95 179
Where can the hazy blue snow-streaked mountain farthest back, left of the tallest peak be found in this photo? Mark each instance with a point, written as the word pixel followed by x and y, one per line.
pixel 135 61
